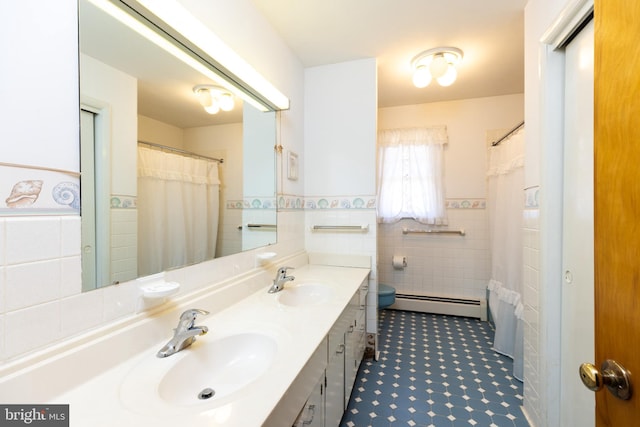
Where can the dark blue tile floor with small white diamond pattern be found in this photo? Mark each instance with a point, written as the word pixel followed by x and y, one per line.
pixel 435 371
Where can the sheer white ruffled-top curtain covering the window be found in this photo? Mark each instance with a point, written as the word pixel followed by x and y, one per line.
pixel 410 175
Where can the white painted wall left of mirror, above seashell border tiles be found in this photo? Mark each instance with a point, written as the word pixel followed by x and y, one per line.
pixel 30 44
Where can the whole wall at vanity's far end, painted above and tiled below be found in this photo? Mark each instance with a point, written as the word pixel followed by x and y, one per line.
pixel 338 162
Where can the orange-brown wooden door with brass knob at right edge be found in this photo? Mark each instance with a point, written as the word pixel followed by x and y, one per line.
pixel 617 201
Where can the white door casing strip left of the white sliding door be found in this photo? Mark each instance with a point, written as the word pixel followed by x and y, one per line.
pixel 552 60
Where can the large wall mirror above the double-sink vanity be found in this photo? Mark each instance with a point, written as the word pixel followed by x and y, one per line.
pixel 165 182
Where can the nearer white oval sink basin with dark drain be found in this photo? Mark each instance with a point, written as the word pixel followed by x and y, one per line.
pixel 207 373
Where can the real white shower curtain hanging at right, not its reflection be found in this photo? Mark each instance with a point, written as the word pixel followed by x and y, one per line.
pixel 505 204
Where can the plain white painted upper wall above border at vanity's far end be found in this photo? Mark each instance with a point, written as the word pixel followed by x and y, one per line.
pixel 340 129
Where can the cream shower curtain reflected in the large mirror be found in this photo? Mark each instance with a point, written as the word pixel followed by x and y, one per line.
pixel 178 208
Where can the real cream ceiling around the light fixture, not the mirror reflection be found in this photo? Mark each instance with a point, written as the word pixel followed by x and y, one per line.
pixel 489 32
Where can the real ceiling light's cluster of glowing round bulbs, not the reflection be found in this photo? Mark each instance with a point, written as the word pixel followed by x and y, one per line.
pixel 438 63
